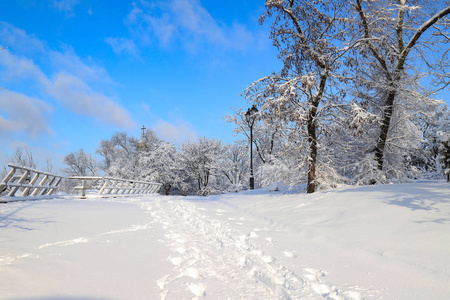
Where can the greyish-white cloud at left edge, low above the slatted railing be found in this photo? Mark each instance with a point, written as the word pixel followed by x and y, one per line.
pixel 20 113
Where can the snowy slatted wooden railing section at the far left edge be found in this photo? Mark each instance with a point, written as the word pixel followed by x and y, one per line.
pixel 23 181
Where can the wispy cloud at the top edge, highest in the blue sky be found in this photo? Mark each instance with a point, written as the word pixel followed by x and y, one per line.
pixel 185 23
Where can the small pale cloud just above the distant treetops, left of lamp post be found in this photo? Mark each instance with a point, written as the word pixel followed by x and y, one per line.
pixel 178 134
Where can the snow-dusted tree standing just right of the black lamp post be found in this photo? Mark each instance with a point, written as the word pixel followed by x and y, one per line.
pixel 312 42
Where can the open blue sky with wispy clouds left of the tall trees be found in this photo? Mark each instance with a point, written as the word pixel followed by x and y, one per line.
pixel 76 71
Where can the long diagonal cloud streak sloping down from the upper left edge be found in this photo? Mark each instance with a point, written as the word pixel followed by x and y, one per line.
pixel 67 79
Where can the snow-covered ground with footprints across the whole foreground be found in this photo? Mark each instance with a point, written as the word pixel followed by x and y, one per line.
pixel 376 242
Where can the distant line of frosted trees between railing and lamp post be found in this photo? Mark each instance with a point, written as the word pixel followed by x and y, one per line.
pixel 203 167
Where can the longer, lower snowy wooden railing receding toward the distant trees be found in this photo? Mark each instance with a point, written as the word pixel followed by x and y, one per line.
pixel 118 186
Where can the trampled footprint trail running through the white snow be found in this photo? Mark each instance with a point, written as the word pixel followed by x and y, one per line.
pixel 214 259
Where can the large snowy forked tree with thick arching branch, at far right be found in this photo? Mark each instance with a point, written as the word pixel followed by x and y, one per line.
pixel 403 44
